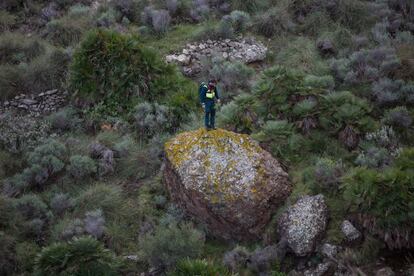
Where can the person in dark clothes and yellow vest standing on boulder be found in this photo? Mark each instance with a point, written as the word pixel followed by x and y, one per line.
pixel 208 98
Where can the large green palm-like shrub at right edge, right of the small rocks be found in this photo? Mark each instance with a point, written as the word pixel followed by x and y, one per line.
pixel 384 199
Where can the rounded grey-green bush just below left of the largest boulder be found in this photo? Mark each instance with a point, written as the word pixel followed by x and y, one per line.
pixel 171 243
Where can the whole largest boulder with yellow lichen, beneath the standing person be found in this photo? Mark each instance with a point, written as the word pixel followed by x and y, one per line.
pixel 225 181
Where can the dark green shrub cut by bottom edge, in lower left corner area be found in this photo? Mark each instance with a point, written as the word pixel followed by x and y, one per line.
pixel 81 256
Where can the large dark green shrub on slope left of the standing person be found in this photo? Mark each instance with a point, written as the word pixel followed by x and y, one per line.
pixel 115 72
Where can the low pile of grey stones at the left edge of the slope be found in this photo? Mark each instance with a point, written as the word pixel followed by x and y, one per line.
pixel 36 105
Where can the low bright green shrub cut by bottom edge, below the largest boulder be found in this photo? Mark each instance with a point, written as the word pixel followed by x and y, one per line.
pixel 199 267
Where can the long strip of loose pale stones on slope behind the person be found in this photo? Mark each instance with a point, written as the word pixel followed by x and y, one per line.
pixel 191 58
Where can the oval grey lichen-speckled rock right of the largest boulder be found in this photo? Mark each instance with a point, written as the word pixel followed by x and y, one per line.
pixel 304 223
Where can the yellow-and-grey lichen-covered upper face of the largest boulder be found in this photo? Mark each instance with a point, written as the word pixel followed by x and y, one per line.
pixel 223 165
